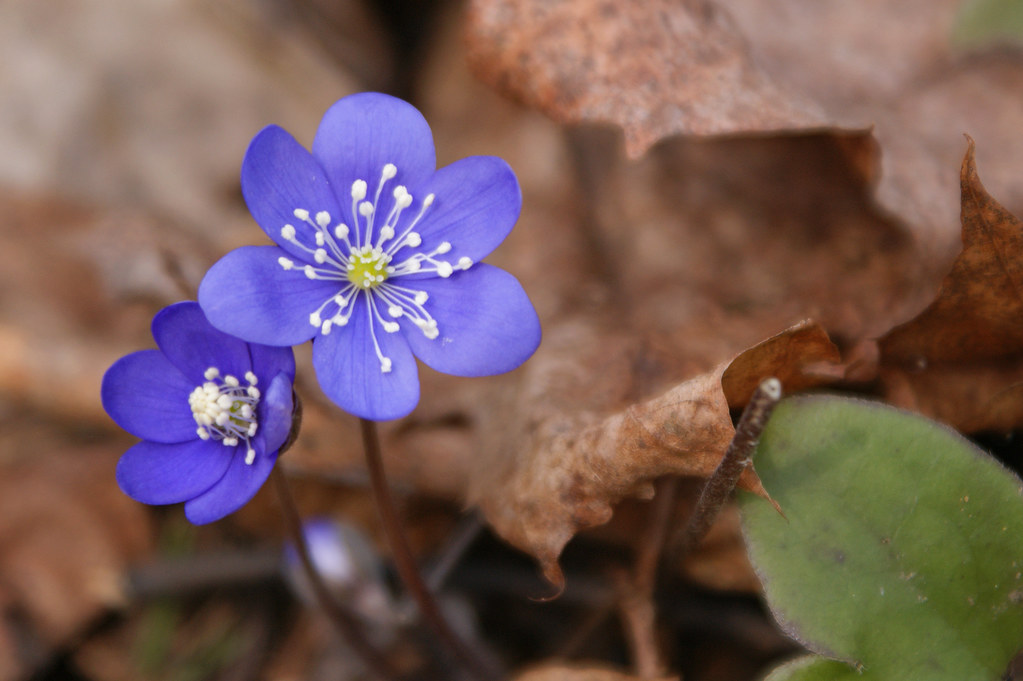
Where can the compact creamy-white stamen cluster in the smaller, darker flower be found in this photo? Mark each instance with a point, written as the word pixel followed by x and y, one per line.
pixel 226 411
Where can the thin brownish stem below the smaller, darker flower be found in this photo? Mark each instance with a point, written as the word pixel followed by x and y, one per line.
pixel 346 623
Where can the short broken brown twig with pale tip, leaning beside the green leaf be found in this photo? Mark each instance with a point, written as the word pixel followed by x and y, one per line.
pixel 738 458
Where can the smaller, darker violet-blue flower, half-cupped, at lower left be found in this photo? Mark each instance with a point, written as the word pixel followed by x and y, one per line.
pixel 211 410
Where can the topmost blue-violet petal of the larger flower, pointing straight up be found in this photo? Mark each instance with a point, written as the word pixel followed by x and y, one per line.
pixel 364 132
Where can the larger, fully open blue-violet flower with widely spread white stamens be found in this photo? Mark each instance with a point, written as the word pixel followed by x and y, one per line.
pixel 377 258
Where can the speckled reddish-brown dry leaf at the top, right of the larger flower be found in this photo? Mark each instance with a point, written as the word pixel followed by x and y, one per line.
pixel 656 69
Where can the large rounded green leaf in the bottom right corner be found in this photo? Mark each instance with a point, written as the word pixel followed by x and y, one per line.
pixel 903 553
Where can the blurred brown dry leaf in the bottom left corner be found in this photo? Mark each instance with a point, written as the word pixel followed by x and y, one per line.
pixel 67 537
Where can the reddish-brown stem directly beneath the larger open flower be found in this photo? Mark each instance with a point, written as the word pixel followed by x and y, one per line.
pixel 406 563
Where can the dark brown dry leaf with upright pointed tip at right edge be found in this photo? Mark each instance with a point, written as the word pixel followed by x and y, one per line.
pixel 965 349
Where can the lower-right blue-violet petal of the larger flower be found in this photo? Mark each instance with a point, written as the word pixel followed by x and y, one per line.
pixel 487 324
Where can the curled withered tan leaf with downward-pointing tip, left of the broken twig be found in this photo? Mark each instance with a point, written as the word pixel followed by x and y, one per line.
pixel 564 470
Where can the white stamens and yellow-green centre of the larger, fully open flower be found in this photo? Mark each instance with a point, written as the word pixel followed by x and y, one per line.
pixel 360 259
